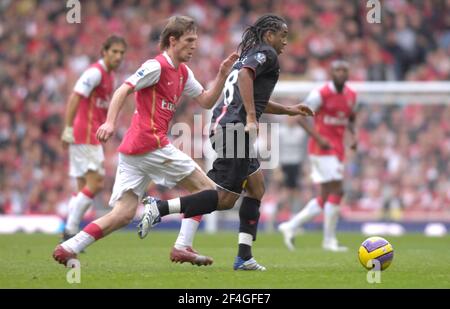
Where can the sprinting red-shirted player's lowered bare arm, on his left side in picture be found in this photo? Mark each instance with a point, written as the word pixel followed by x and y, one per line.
pixel 106 130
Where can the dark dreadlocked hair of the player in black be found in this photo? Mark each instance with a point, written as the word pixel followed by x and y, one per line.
pixel 253 35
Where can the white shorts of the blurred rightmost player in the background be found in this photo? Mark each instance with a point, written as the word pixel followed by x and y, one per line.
pixel 326 168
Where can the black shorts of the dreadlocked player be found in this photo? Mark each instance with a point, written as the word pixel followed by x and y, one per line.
pixel 231 170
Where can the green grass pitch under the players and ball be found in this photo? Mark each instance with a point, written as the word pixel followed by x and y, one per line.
pixel 124 261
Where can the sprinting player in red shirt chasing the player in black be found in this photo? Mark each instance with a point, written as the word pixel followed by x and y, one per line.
pixel 145 153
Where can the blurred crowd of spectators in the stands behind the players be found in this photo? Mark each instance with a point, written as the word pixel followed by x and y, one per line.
pixel 404 150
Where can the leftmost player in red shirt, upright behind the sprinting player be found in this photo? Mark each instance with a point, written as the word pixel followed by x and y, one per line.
pixel 86 111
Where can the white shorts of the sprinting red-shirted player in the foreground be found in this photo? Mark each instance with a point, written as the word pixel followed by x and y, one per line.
pixel 165 166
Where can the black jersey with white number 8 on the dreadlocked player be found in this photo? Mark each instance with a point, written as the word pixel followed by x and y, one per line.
pixel 263 61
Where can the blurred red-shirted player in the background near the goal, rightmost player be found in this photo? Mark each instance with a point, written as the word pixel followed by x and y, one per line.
pixel 334 105
